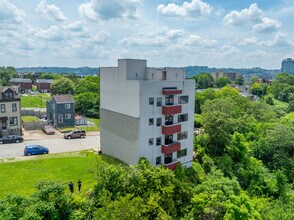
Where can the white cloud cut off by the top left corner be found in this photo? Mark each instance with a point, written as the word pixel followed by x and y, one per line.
pixel 10 14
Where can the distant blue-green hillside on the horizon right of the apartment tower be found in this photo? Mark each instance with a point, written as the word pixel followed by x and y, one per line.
pixel 194 70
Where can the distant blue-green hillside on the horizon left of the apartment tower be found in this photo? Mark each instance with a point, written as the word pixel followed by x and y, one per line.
pixel 58 70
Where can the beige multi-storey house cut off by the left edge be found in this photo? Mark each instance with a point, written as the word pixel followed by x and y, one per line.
pixel 9 111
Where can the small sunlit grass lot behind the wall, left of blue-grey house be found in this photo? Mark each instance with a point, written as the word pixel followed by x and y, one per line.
pixel 34 101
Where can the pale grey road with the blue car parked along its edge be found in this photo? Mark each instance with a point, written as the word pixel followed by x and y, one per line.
pixel 55 145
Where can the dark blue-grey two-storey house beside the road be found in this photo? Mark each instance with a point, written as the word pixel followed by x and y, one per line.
pixel 61 111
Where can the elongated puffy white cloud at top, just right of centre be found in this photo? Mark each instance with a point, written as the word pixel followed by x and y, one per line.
pixel 193 10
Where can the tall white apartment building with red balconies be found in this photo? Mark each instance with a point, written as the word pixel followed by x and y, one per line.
pixel 147 112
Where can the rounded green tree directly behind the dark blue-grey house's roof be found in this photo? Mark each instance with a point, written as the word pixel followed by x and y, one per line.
pixel 62 86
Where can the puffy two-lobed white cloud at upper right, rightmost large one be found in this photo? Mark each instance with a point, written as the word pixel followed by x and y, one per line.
pixel 252 16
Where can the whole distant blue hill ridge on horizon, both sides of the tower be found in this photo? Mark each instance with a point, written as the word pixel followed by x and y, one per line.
pixel 189 70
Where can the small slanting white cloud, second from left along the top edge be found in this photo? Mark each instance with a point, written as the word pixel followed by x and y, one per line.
pixel 50 10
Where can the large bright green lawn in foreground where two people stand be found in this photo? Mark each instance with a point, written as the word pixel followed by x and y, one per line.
pixel 20 177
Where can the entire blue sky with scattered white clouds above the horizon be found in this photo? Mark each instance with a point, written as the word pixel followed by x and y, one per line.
pixel 95 33
